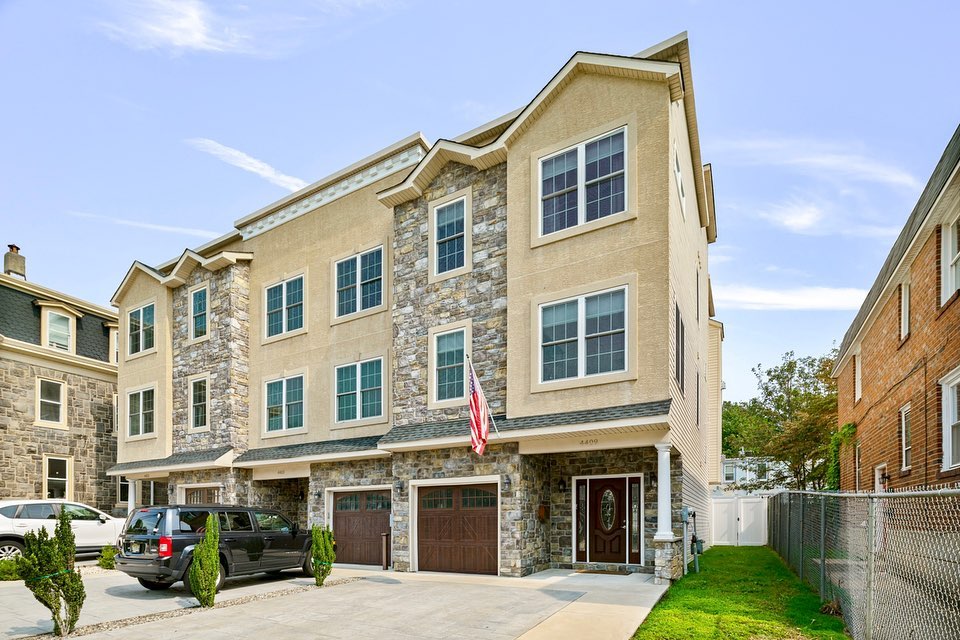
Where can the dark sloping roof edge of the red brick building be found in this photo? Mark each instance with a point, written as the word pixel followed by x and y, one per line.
pixel 946 168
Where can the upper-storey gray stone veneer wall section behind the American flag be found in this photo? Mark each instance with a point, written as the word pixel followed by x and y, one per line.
pixel 480 295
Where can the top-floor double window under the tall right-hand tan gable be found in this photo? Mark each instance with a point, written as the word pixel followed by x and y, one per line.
pixel 583 184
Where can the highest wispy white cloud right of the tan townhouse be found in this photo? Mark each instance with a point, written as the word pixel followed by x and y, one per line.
pixel 826 160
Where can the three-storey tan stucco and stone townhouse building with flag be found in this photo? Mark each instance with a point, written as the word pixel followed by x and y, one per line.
pixel 314 359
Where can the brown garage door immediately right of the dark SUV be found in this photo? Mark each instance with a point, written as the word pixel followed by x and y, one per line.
pixel 359 519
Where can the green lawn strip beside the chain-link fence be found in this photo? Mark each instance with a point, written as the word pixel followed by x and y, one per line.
pixel 740 592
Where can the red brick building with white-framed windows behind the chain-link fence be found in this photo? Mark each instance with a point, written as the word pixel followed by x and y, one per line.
pixel 898 370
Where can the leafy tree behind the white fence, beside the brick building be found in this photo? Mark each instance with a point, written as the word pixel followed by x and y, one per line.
pixel 790 421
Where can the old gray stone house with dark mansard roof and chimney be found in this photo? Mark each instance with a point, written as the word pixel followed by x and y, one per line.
pixel 58 383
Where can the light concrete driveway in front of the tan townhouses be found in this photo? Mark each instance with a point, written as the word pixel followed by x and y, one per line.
pixel 551 604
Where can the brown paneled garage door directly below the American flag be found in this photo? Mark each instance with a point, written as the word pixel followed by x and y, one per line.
pixel 457 529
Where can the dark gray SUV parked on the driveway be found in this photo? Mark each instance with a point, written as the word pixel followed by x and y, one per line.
pixel 157 543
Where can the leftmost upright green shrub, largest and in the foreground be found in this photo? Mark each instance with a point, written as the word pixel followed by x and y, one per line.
pixel 46 567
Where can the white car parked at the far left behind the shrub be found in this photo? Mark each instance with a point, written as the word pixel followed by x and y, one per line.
pixel 92 528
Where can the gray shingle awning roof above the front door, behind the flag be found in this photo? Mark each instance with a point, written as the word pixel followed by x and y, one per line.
pixel 461 427
